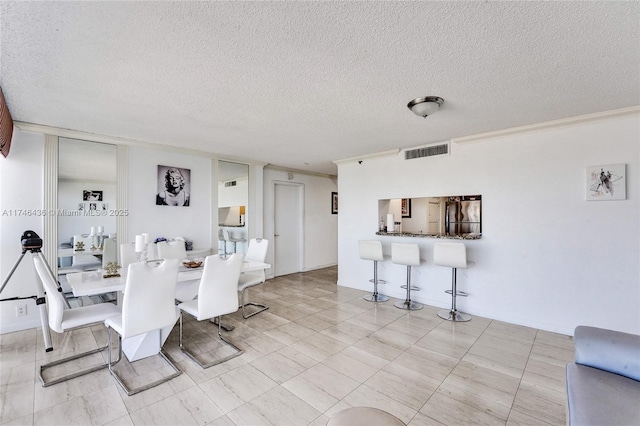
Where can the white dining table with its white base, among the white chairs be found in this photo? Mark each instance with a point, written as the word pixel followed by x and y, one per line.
pixel 148 344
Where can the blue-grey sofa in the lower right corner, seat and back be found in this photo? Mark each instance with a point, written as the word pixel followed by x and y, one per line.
pixel 603 385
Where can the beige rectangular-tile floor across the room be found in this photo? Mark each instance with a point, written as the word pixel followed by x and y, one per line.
pixel 319 349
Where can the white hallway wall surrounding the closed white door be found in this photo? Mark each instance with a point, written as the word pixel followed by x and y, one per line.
pixel 320 226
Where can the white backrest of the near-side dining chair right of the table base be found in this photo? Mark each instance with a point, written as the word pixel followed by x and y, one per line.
pixel 218 290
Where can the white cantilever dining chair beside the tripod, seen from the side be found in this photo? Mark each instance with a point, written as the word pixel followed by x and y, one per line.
pixel 62 320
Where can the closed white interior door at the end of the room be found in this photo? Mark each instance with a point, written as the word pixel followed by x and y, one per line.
pixel 287 250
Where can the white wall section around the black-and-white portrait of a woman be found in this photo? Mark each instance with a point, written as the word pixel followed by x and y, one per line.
pixel 192 222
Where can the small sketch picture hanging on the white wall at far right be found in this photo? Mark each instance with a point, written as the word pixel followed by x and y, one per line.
pixel 605 183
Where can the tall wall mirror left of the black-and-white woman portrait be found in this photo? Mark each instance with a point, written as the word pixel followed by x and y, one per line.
pixel 86 192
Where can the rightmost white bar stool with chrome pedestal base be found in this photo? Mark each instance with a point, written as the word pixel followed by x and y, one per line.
pixel 454 256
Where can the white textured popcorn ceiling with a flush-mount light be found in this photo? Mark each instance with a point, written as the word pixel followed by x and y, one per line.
pixel 300 84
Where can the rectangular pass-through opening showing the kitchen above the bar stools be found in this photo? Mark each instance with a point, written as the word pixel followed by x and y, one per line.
pixel 455 216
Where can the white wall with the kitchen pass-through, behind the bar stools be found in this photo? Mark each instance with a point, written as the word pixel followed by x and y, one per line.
pixel 548 258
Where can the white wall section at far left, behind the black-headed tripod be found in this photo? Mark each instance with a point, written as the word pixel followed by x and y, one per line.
pixel 21 176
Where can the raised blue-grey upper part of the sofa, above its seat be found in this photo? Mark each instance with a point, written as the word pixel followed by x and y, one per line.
pixel 608 350
